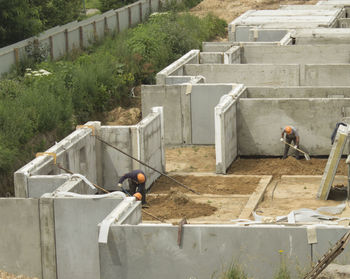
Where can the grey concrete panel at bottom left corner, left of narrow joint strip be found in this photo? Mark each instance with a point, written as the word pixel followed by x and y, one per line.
pixel 20 250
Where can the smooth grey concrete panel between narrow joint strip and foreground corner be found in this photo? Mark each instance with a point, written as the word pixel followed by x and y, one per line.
pixel 76 235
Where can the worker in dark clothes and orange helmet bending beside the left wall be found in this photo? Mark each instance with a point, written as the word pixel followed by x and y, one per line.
pixel 137 179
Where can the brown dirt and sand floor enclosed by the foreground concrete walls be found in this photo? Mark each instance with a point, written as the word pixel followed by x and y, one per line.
pixel 284 186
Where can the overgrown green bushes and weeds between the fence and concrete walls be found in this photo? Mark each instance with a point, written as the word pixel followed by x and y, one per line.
pixel 87 83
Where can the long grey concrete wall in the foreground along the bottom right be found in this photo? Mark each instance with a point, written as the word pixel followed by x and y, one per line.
pixel 128 252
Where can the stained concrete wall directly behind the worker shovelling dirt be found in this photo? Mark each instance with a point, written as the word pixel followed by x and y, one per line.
pixel 315 120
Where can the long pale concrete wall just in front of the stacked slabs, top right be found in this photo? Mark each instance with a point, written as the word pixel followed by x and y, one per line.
pixel 296 54
